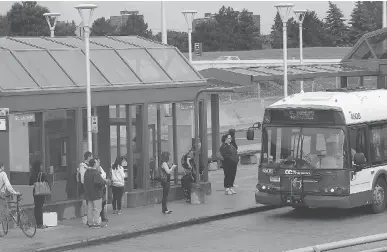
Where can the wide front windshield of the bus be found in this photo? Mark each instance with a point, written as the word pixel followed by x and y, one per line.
pixel 309 148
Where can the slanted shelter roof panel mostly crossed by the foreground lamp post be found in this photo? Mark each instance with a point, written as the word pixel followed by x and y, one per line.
pixel 73 62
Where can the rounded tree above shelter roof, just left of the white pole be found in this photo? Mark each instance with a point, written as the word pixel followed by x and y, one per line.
pixel 135 25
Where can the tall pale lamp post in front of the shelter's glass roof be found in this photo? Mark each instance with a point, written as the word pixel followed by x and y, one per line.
pixel 82 9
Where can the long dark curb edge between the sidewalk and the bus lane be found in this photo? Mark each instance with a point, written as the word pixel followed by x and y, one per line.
pixel 158 229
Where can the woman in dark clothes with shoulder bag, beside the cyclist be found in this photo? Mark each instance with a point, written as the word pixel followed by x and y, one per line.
pixel 37 174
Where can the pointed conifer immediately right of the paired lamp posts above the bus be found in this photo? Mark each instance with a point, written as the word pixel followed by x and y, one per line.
pixel 335 27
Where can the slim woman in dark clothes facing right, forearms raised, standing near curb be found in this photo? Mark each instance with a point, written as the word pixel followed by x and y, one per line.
pixel 165 173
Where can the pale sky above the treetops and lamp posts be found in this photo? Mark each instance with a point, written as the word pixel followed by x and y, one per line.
pixel 175 20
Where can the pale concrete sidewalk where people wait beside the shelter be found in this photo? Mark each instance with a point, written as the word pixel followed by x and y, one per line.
pixel 72 234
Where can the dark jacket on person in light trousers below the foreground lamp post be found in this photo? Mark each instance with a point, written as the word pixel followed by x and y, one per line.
pixel 93 185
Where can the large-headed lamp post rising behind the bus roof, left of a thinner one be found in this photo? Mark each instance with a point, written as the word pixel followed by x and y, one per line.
pixel 284 12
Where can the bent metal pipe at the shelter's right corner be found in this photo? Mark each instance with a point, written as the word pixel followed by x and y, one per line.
pixel 218 90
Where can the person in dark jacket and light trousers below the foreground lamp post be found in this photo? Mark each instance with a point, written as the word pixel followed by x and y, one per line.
pixel 93 185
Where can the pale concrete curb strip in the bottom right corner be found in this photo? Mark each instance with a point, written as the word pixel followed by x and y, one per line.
pixel 347 243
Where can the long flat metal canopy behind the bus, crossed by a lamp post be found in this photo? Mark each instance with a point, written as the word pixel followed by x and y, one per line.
pixel 249 75
